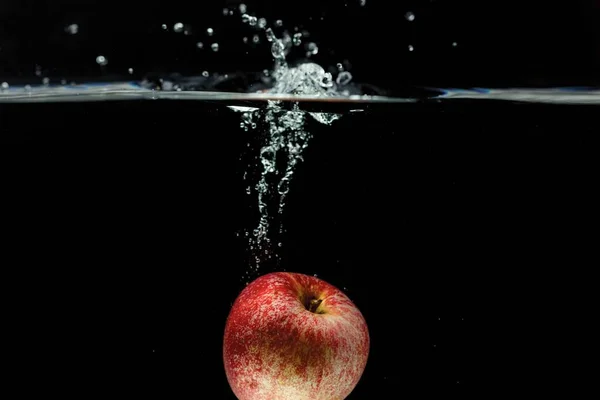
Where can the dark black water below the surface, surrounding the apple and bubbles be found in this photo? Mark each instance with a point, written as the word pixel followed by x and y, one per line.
pixel 448 224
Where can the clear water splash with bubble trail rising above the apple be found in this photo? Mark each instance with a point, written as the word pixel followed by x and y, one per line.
pixel 284 137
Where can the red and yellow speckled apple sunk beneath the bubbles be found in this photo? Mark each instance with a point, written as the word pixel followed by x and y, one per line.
pixel 276 348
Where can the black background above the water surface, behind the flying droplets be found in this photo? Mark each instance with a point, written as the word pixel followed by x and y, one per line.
pixel 508 43
